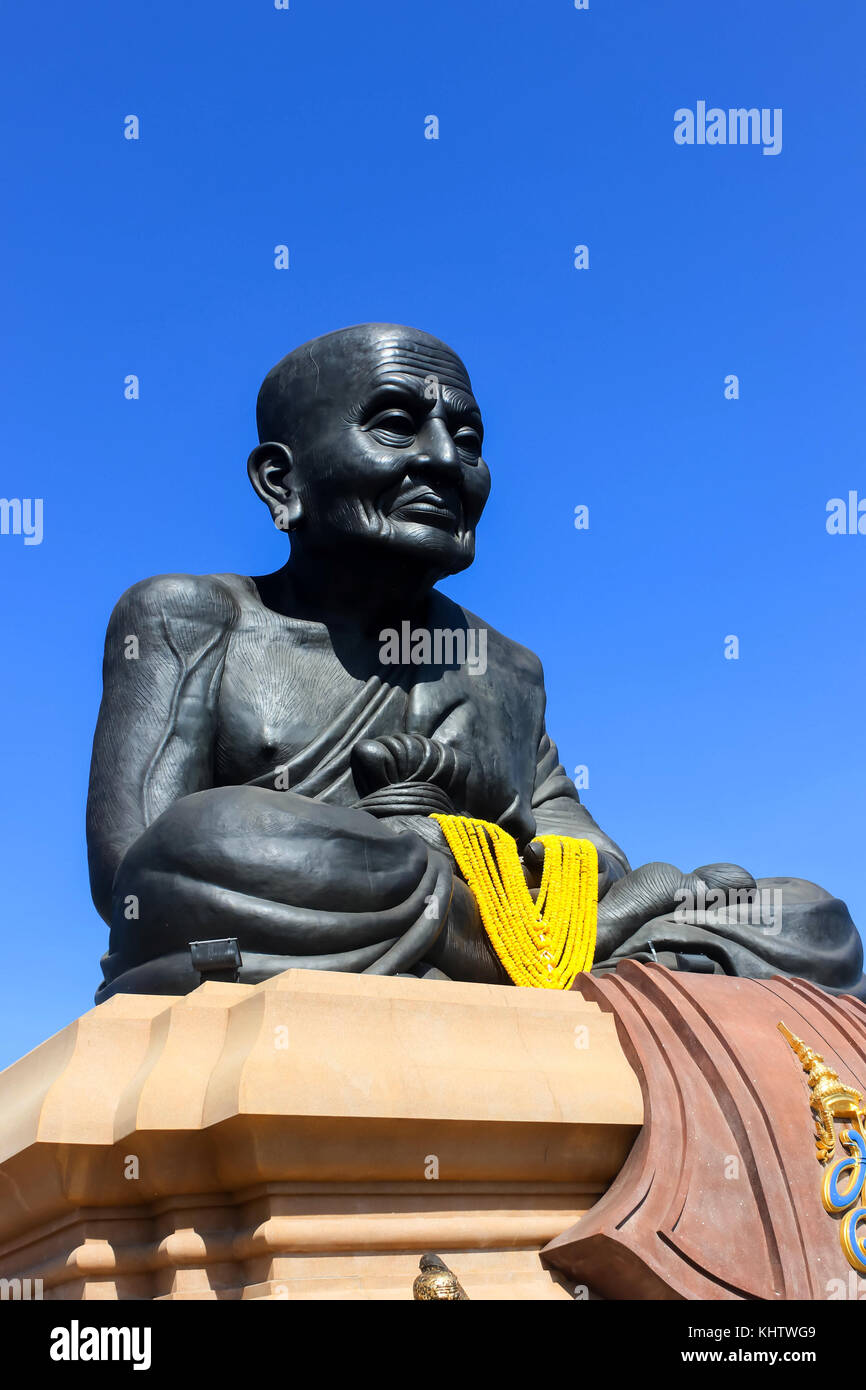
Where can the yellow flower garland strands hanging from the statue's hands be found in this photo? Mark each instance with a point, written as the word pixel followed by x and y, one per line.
pixel 543 945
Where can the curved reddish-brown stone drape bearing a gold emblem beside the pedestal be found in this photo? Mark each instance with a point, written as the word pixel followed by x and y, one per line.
pixel 721 1195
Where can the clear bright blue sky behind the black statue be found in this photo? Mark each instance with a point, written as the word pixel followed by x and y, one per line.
pixel 601 387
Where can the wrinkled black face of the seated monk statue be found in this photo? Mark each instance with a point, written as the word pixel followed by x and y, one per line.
pixel 389 457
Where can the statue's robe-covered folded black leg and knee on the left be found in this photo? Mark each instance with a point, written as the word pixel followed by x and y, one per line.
pixel 300 883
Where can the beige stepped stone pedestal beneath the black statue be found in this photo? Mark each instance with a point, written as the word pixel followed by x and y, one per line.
pixel 311 1138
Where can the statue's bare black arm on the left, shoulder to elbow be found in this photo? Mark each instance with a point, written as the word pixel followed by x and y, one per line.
pixel 156 729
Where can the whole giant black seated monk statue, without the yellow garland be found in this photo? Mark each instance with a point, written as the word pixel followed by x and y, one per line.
pixel 270 750
